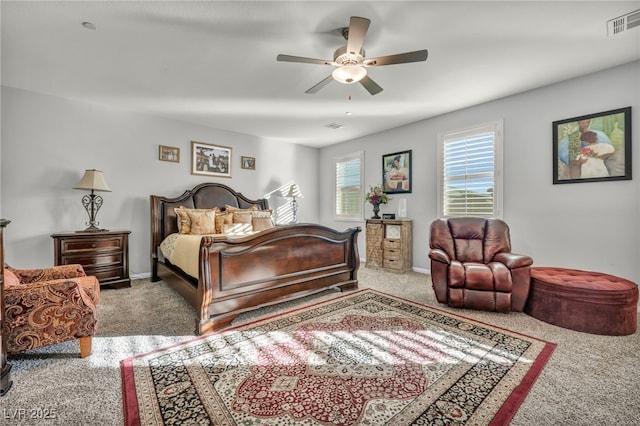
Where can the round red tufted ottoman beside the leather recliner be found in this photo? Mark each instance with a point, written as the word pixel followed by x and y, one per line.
pixel 586 301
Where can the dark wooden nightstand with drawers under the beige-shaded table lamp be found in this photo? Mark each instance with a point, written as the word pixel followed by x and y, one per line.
pixel 103 254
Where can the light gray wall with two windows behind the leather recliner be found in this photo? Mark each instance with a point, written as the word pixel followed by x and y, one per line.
pixel 583 225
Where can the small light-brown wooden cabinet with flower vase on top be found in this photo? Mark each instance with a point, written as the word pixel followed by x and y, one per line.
pixel 389 245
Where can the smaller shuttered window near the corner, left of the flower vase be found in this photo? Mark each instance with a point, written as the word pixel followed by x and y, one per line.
pixel 348 185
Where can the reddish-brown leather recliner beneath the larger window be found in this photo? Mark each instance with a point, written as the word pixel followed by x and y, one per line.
pixel 472 265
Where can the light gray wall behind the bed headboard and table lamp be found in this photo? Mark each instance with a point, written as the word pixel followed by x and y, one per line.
pixel 48 142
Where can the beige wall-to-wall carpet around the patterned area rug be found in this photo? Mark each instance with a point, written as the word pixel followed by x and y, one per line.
pixel 589 380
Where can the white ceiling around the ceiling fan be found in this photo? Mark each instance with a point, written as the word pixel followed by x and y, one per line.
pixel 214 62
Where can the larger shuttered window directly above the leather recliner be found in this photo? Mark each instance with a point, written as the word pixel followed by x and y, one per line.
pixel 470 171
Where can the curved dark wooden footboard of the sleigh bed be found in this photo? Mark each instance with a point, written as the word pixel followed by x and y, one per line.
pixel 283 263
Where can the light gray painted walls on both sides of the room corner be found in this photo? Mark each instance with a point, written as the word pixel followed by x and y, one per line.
pixel 47 143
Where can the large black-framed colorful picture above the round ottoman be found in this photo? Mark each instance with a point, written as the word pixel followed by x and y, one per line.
pixel 593 148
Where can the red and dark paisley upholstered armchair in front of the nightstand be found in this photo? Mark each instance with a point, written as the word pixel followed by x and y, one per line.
pixel 48 306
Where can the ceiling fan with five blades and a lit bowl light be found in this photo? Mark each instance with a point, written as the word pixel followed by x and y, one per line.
pixel 351 65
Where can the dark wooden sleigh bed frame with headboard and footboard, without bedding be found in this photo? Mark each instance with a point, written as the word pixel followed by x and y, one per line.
pixel 240 274
